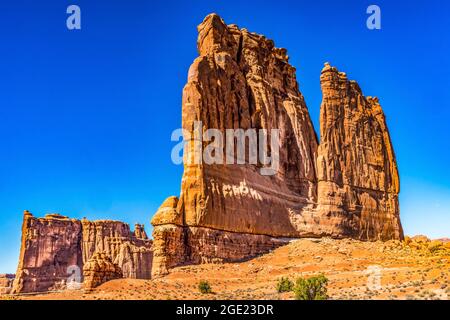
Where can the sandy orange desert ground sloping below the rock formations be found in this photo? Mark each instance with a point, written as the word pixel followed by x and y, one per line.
pixel 356 270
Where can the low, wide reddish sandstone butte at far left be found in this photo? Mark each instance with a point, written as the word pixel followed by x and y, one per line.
pixel 55 247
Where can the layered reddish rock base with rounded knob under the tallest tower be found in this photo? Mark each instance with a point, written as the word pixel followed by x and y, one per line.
pixel 175 244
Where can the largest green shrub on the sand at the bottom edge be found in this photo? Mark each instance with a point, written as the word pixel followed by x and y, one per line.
pixel 314 288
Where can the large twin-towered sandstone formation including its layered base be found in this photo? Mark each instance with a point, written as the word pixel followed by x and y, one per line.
pixel 345 187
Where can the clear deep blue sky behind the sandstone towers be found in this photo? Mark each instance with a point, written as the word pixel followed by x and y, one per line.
pixel 86 116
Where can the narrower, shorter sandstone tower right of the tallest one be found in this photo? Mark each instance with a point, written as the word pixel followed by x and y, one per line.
pixel 356 166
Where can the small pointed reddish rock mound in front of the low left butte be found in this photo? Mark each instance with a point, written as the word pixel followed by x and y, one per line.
pixel 99 269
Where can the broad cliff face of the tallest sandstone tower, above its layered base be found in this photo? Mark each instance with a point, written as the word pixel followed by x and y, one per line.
pixel 241 81
